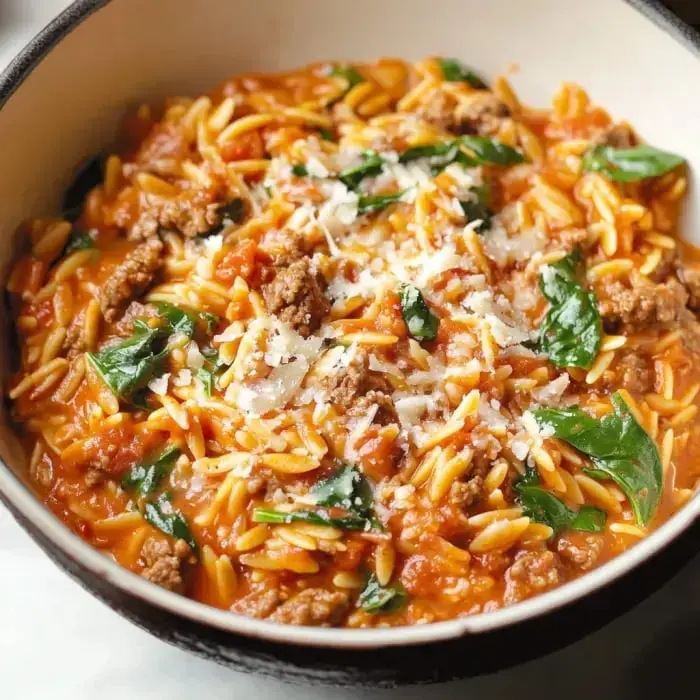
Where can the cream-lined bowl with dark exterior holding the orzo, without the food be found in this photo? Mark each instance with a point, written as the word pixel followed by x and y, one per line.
pixel 61 99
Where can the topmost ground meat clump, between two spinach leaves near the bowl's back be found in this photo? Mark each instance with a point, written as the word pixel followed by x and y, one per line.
pixel 482 114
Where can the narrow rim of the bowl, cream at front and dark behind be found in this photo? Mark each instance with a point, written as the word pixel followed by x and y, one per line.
pixel 16 493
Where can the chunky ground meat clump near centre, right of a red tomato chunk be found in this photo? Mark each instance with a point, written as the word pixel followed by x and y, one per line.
pixel 295 296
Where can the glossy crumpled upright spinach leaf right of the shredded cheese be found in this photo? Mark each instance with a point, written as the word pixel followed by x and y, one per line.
pixel 571 332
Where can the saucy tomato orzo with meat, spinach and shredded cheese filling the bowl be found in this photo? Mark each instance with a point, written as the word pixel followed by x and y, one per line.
pixel 363 345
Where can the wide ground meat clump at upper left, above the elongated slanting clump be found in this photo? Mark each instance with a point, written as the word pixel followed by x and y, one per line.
pixel 192 213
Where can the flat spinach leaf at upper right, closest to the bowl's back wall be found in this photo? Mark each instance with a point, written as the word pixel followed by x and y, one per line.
pixel 630 164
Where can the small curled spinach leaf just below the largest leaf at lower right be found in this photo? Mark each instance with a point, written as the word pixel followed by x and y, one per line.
pixel 544 507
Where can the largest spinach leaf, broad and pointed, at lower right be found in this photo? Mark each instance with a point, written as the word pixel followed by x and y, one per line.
pixel 618 447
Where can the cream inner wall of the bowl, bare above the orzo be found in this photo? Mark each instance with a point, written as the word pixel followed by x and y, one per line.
pixel 132 50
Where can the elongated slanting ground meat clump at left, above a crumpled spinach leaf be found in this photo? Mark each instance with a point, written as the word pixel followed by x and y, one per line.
pixel 131 278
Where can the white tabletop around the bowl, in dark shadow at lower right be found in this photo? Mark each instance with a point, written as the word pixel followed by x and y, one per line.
pixel 57 642
